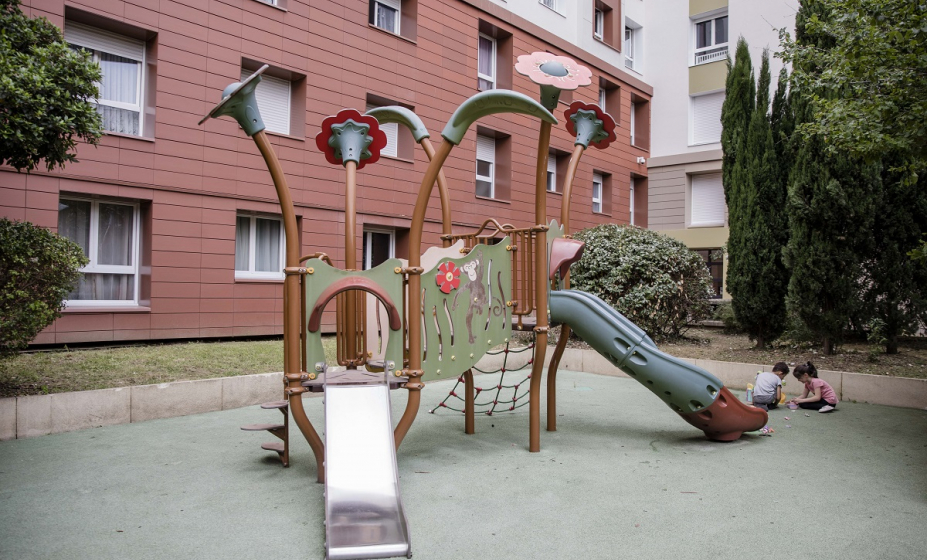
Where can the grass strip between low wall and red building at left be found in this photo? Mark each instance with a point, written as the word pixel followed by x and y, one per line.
pixel 59 371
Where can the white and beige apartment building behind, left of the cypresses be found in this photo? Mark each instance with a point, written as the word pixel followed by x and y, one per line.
pixel 686 46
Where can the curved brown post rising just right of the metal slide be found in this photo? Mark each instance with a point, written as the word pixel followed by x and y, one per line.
pixel 415 289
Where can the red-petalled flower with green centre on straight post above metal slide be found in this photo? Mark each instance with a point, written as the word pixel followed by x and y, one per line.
pixel 351 136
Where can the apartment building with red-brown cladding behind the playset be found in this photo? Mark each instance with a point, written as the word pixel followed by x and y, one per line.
pixel 180 222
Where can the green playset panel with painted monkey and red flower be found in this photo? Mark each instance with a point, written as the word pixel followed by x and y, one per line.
pixel 467 309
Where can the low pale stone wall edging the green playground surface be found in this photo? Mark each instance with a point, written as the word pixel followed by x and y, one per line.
pixel 39 415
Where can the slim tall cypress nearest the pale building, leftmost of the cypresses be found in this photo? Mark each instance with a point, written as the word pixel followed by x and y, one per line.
pixel 754 190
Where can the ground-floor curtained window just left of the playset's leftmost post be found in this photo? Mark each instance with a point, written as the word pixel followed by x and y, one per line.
pixel 259 246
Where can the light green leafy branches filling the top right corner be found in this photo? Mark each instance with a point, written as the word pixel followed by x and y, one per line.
pixel 865 76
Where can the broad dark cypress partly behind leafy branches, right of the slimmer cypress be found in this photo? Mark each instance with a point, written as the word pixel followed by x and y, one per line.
pixel 831 200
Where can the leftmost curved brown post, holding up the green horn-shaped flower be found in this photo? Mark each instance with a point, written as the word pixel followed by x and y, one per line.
pixel 291 313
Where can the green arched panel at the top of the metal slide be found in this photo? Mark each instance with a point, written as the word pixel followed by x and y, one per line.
pixel 323 276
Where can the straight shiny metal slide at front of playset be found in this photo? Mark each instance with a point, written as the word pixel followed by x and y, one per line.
pixel 363 508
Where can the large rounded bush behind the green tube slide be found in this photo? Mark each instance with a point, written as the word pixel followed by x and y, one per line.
pixel 652 279
